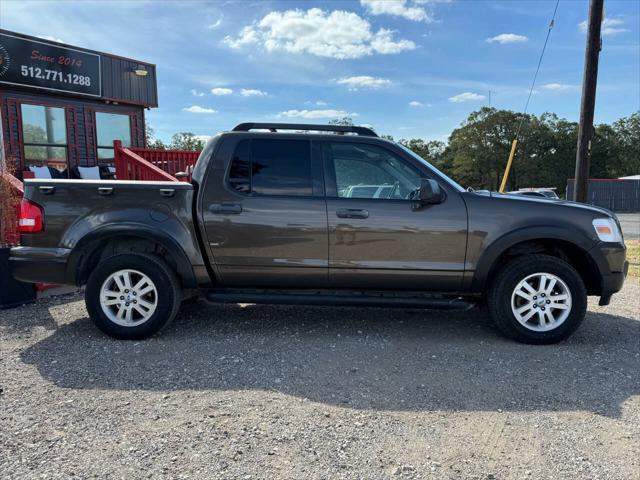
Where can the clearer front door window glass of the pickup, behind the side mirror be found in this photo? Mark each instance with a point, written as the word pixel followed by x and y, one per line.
pixel 368 171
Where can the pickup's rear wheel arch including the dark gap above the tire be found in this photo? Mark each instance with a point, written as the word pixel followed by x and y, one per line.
pixel 109 241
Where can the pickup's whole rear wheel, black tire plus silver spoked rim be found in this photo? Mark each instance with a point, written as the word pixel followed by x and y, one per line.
pixel 132 296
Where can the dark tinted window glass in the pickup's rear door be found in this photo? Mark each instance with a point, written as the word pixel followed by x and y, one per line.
pixel 272 167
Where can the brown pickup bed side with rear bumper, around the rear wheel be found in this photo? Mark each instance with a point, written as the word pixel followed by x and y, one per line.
pixel 78 213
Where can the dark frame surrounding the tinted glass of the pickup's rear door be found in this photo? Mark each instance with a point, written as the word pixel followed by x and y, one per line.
pixel 317 180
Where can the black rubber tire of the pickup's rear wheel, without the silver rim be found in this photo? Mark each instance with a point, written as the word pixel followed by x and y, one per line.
pixel 167 297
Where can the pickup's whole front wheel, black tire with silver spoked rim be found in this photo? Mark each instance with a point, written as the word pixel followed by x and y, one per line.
pixel 537 299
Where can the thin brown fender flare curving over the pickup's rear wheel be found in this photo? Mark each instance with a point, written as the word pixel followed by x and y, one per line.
pixel 86 246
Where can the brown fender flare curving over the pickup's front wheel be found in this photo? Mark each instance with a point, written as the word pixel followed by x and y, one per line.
pixel 490 255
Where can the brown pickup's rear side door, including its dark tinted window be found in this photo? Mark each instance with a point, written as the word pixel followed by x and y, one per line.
pixel 264 212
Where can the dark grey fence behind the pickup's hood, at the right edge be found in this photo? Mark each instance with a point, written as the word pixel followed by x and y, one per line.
pixel 615 194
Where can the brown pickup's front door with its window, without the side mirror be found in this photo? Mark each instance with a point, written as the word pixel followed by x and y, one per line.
pixel 377 238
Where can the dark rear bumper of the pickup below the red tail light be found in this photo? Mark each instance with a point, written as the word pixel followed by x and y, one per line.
pixel 40 265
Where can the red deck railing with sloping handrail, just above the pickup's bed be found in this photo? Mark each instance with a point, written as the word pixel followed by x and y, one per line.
pixel 150 164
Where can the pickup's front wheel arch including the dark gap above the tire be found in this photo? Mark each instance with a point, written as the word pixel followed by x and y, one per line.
pixel 555 241
